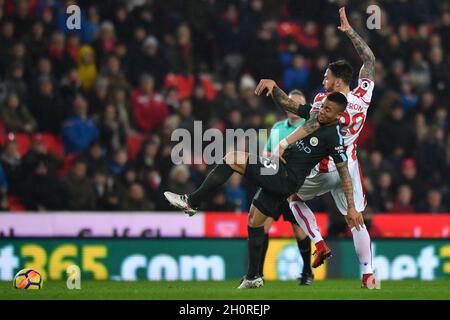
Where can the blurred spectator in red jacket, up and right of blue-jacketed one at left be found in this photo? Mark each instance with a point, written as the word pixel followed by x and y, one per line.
pixel 149 108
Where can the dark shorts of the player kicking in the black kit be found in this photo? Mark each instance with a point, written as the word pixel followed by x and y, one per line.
pixel 275 187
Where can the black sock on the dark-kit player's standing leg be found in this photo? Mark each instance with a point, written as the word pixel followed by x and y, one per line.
pixel 255 247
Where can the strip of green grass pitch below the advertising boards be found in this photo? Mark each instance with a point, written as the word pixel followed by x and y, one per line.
pixel 223 290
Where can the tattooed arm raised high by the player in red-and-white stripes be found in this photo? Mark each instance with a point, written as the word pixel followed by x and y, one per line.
pixel 365 53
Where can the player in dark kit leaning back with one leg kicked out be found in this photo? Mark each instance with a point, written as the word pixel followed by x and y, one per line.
pixel 278 180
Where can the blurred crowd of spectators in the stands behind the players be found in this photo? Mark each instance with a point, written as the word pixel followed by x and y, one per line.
pixel 87 115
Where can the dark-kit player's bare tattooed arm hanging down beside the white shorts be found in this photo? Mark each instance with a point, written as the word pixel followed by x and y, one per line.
pixel 354 218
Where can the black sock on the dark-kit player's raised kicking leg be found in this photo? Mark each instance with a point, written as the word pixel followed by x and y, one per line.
pixel 217 177
